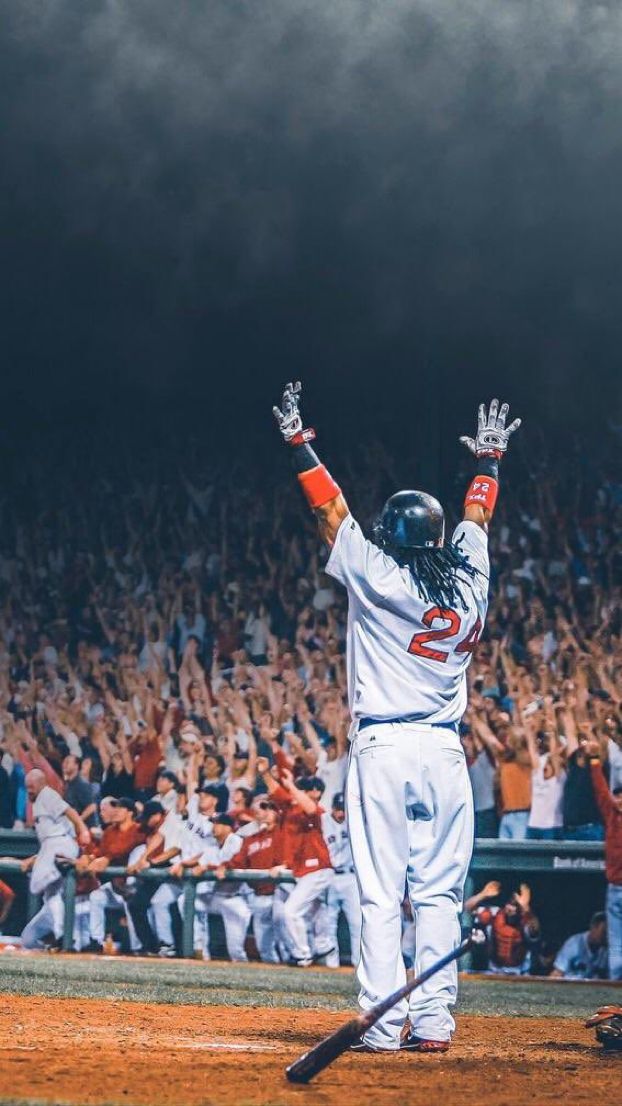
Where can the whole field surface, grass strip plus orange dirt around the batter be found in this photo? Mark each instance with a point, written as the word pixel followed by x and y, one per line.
pixel 78 1030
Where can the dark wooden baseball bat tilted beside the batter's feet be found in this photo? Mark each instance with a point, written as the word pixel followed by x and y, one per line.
pixel 319 1058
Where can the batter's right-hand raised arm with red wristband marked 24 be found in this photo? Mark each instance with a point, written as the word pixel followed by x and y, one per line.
pixel 489 447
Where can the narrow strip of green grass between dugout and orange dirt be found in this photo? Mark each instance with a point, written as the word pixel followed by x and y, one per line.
pixel 185 983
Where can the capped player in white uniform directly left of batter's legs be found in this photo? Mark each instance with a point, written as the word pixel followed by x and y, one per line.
pixel 344 894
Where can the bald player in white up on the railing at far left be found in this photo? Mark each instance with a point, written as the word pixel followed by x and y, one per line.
pixel 60 830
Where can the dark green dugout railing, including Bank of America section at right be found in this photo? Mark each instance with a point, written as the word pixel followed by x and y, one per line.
pixel 491 855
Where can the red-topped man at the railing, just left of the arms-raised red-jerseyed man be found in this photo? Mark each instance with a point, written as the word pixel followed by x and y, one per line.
pixel 263 851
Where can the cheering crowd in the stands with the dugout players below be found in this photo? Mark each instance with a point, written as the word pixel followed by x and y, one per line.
pixel 172 667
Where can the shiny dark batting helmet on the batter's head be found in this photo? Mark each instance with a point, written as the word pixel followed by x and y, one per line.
pixel 410 520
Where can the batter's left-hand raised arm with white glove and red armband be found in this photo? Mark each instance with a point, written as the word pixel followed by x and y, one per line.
pixel 323 494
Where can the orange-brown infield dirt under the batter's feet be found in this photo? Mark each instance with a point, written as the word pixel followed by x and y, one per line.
pixel 96 1052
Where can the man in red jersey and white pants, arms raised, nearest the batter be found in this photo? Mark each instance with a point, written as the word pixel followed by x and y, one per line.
pixel 307 855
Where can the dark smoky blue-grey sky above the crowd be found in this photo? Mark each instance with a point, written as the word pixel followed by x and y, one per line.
pixel 409 204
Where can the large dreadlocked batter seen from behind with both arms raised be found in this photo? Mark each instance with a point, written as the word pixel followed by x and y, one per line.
pixel 417 608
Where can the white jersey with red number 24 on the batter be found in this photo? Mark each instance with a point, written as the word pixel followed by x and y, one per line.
pixel 407 656
